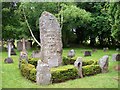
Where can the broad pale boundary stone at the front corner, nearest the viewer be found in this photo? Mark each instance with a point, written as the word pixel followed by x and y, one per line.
pixel 43 75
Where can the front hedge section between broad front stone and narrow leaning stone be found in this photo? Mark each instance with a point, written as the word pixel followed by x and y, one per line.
pixel 64 73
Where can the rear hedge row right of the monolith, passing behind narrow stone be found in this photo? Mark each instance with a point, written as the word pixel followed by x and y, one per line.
pixel 69 61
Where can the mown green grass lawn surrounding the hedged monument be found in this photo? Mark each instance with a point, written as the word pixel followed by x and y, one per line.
pixel 12 78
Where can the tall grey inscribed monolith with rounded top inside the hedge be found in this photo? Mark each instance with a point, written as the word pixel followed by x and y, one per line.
pixel 50 37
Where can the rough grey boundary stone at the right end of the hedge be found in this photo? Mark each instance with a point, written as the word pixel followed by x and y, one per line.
pixel 103 63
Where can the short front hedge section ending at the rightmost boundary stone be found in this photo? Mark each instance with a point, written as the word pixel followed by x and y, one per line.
pixel 91 70
